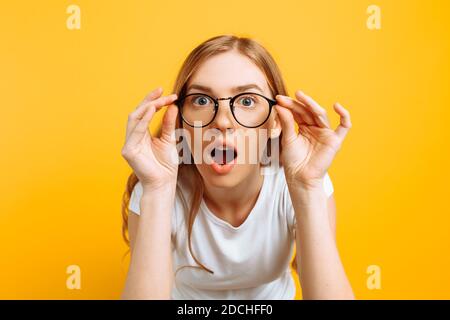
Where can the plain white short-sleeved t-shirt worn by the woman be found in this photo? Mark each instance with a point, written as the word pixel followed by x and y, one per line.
pixel 251 261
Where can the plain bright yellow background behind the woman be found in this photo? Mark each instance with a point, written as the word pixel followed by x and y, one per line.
pixel 66 95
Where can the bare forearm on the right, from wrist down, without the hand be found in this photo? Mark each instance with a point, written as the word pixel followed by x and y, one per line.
pixel 320 270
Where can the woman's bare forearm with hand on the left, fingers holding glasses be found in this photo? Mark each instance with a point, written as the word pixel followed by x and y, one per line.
pixel 155 162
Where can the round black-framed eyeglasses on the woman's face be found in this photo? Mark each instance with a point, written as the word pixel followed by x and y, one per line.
pixel 249 109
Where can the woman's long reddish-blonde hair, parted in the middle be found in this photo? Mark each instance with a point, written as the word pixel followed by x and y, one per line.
pixel 213 46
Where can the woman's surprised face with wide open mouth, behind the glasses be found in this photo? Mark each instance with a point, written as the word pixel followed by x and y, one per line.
pixel 225 152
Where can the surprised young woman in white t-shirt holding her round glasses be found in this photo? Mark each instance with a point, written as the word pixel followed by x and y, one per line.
pixel 216 227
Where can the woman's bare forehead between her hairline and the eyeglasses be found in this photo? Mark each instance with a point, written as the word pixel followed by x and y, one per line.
pixel 227 70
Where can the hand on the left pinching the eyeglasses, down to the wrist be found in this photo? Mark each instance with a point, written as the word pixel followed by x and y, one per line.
pixel 154 160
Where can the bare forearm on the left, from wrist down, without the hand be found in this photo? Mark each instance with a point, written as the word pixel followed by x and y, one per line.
pixel 150 273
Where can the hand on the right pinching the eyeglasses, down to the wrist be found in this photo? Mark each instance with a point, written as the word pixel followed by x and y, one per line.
pixel 307 156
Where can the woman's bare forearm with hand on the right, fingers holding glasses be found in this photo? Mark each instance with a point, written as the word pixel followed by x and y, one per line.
pixel 307 155
